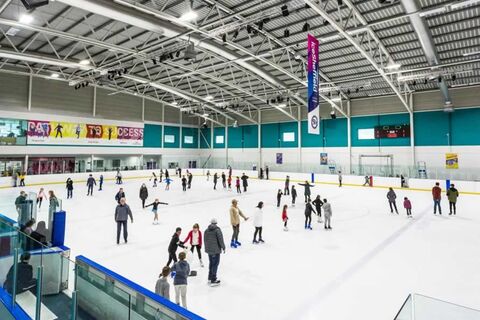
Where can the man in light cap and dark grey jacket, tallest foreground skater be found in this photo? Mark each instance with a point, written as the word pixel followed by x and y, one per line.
pixel 214 245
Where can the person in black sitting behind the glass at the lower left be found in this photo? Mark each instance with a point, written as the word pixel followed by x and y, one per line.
pixel 25 280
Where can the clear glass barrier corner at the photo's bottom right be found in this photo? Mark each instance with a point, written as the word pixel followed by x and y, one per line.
pixel 420 307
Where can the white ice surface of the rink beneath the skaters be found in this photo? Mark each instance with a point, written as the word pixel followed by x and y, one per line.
pixel 363 268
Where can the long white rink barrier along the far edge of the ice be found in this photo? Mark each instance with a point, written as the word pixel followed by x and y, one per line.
pixel 472 187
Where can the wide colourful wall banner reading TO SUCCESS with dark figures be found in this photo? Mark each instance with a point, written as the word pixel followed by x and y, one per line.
pixel 74 133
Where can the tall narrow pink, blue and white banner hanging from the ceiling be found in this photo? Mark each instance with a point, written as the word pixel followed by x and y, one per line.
pixel 313 81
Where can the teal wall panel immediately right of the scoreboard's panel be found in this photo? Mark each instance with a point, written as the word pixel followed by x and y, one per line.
pixel 431 128
